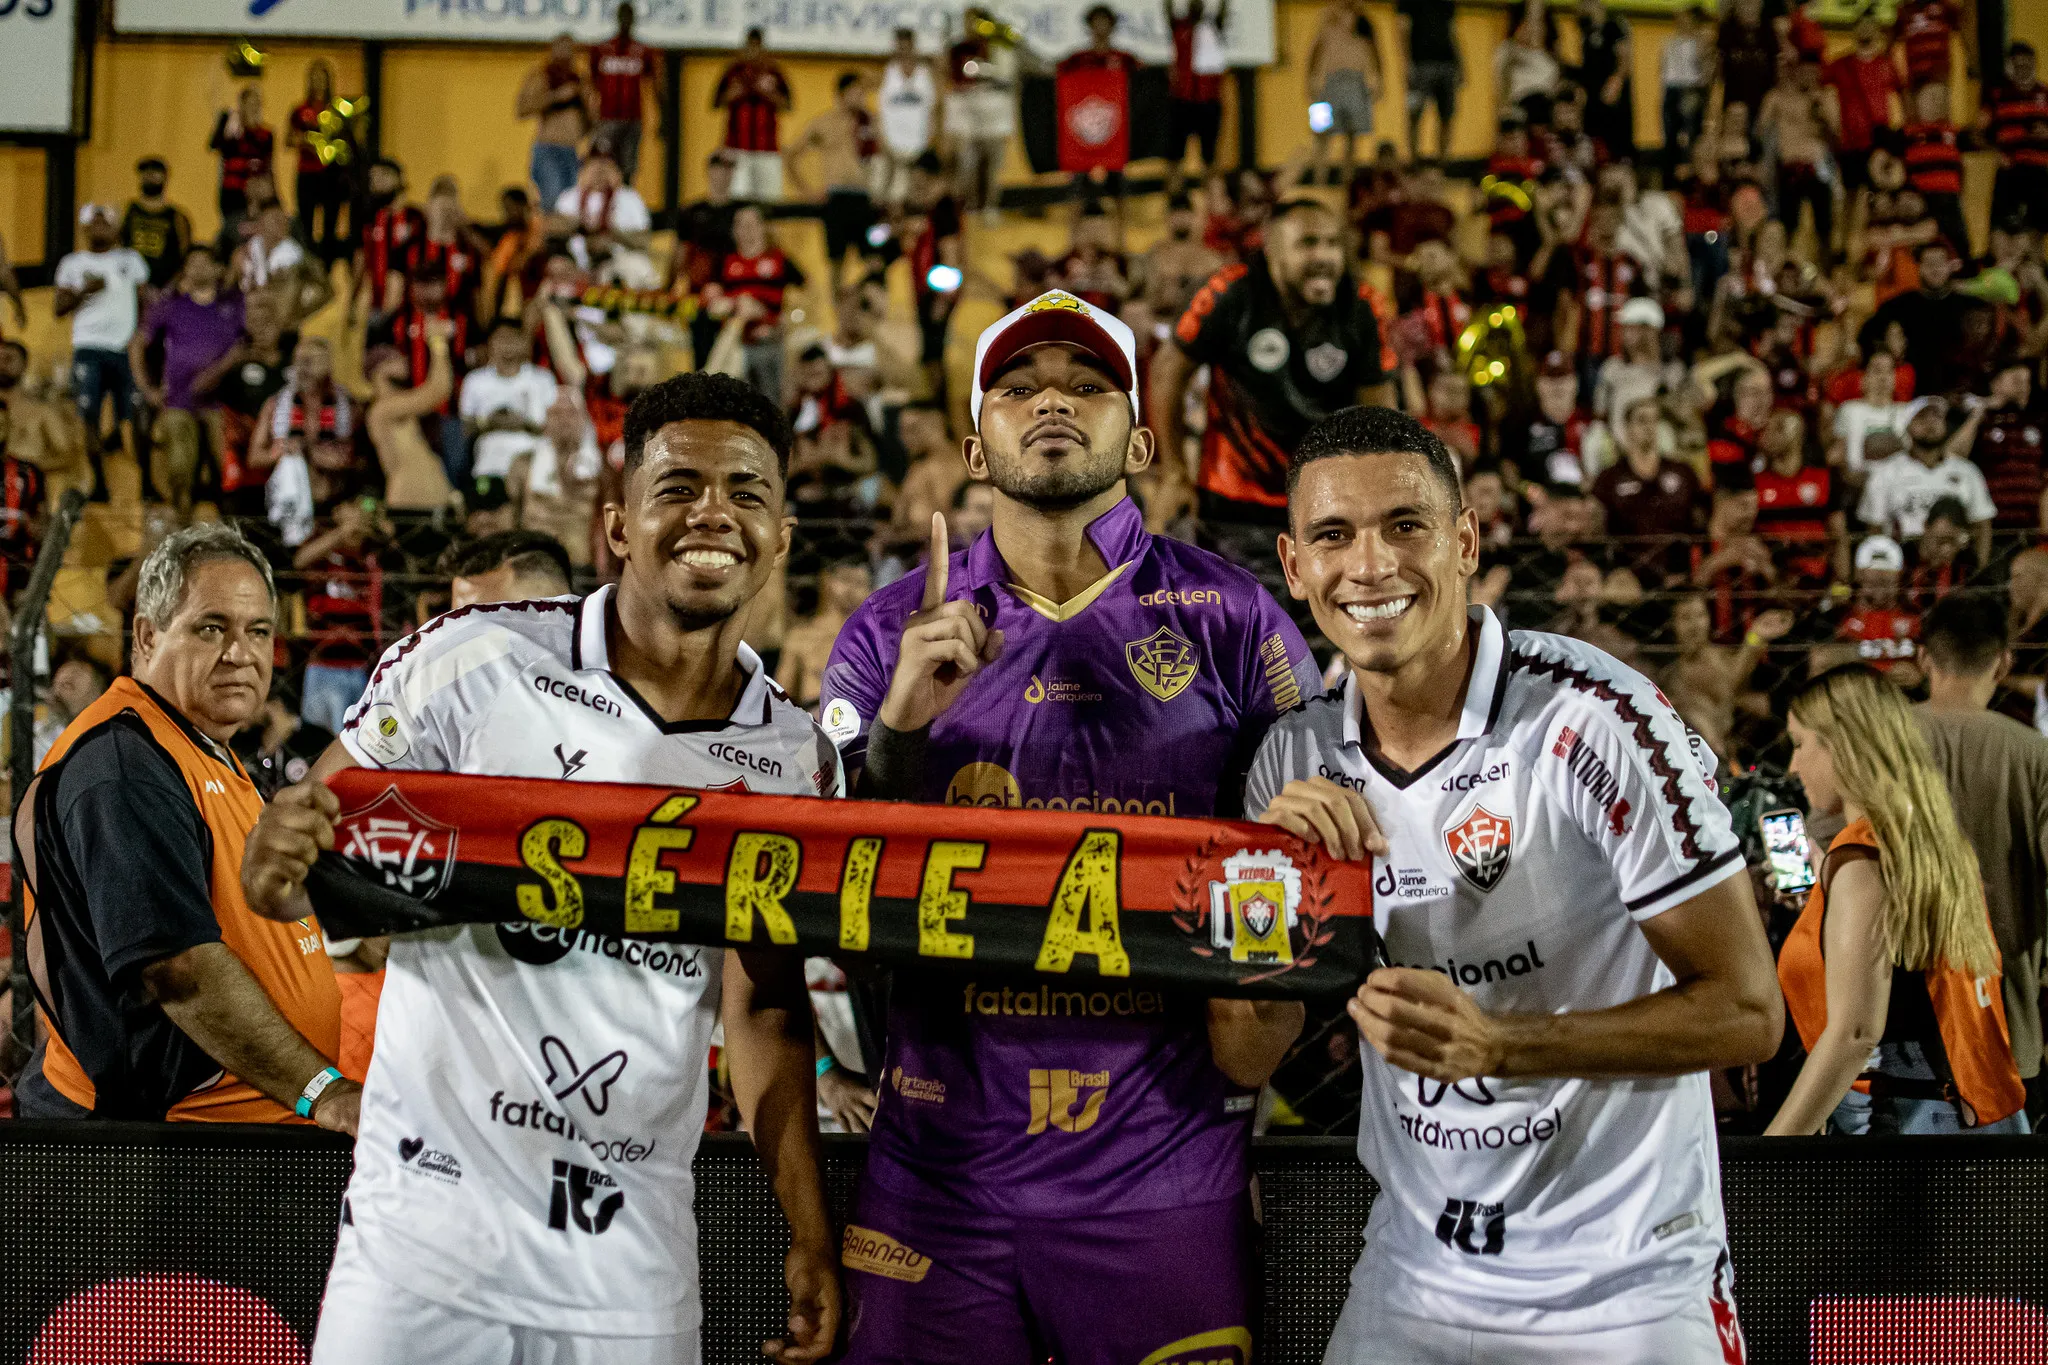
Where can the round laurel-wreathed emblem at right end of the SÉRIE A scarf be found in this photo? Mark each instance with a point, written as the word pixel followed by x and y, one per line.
pixel 1252 906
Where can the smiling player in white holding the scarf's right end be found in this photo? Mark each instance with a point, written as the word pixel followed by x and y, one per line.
pixel 1576 942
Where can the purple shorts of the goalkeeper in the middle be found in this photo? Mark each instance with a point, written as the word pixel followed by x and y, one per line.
pixel 935 1284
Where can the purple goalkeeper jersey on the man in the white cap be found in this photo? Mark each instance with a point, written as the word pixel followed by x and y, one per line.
pixel 1146 695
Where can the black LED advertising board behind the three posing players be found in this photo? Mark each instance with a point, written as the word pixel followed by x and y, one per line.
pixel 134 1245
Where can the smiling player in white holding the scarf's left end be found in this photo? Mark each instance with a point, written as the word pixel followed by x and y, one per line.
pixel 503 1210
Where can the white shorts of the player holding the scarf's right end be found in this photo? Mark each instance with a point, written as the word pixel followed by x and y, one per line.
pixel 1375 1335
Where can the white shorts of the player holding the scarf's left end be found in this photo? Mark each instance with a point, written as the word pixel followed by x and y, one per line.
pixel 366 1321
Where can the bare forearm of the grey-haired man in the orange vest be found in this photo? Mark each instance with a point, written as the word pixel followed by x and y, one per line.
pixel 218 1004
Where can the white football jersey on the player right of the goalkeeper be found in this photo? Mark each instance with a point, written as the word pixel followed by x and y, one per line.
pixel 1572 807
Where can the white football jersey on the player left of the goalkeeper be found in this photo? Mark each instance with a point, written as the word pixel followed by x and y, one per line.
pixel 538 1094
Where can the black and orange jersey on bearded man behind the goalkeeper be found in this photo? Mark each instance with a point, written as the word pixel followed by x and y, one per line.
pixel 1271 382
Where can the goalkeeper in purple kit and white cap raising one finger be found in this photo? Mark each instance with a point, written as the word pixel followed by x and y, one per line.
pixel 1072 1186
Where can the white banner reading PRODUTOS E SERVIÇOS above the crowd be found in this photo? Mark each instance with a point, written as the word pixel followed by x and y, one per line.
pixel 855 28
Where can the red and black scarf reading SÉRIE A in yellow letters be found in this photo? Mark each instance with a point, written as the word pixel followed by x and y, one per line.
pixel 1068 901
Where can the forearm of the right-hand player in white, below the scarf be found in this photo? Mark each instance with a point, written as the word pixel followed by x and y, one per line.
pixel 1695 1026
